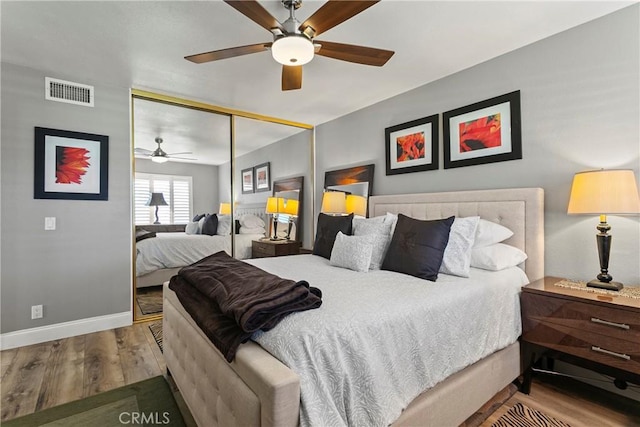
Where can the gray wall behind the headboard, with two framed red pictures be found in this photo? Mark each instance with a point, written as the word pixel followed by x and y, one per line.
pixel 580 109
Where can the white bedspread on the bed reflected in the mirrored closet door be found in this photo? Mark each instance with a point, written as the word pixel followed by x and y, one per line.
pixel 172 250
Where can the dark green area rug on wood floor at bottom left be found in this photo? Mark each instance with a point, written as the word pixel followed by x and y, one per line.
pixel 146 403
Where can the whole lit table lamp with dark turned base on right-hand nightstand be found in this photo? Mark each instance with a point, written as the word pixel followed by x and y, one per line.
pixel 604 192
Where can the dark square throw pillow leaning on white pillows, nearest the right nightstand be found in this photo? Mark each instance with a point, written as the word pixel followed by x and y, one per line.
pixel 417 247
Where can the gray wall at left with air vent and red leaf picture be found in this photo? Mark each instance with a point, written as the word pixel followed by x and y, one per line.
pixel 82 269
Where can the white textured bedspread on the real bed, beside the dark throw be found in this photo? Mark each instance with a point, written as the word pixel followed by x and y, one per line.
pixel 381 338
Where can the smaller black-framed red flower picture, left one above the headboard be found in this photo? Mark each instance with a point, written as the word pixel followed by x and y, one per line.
pixel 412 146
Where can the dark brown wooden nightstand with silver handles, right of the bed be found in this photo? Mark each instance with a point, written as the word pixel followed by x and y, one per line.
pixel 592 330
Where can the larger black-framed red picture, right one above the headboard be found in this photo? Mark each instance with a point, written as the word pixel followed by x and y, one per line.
pixel 484 132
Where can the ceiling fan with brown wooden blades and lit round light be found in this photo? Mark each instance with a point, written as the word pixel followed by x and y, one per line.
pixel 294 43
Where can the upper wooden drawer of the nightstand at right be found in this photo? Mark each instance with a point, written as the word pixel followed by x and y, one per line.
pixel 607 321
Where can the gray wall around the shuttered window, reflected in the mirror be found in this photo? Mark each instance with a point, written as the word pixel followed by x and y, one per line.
pixel 204 181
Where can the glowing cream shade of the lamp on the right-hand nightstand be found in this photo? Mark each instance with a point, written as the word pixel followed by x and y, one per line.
pixel 604 192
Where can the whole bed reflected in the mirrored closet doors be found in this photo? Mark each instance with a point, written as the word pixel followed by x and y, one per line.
pixel 160 257
